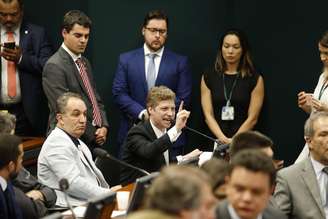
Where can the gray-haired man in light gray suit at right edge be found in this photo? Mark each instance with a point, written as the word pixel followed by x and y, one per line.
pixel 301 190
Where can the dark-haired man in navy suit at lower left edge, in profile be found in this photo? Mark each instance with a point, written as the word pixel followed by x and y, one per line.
pixel 11 157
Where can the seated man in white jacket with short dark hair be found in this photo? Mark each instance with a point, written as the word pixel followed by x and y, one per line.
pixel 64 155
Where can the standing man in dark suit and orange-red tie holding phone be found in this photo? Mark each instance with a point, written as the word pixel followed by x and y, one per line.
pixel 21 69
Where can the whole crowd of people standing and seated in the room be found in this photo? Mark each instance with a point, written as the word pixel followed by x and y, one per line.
pixel 53 94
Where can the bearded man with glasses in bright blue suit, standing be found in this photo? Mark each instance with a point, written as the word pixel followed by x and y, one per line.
pixel 143 68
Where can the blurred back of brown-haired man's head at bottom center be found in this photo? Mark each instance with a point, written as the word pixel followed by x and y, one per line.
pixel 181 192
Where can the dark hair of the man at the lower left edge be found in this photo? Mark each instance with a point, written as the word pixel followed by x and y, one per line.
pixel 9 150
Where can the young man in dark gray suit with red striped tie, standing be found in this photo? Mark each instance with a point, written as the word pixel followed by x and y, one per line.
pixel 67 70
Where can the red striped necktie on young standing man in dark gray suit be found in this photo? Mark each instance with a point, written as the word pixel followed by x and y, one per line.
pixel 86 82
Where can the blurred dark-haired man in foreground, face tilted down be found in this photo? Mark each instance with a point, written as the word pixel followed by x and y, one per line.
pixel 249 187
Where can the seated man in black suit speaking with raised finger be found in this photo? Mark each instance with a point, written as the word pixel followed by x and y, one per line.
pixel 148 144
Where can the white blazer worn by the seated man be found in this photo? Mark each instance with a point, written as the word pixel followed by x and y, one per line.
pixel 60 158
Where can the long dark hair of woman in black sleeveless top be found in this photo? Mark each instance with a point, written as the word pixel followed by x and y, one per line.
pixel 245 66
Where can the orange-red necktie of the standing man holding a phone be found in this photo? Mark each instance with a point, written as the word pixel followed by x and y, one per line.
pixel 11 71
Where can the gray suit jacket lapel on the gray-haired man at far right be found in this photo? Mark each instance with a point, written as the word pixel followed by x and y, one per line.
pixel 311 182
